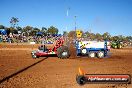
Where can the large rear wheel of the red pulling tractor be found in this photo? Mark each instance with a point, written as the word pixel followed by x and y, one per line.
pixel 63 52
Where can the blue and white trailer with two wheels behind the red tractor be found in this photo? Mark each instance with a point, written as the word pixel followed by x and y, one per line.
pixel 93 48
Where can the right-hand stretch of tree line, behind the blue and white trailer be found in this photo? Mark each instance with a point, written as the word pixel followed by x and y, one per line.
pixel 98 36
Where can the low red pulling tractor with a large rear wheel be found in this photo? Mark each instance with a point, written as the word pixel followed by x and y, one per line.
pixel 59 50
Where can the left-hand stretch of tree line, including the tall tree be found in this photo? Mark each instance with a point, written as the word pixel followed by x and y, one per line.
pixel 28 30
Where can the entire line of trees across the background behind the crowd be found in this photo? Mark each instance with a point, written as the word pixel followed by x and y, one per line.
pixel 31 31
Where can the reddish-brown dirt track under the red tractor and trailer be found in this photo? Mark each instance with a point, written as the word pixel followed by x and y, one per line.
pixel 57 73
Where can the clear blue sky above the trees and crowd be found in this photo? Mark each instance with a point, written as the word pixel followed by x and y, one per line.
pixel 99 16
